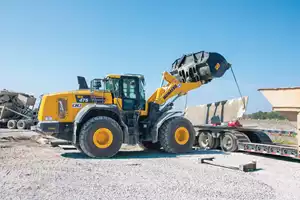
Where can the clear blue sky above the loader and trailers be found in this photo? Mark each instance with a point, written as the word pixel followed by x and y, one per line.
pixel 46 44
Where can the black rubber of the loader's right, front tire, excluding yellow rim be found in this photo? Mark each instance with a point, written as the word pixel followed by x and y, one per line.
pixel 167 135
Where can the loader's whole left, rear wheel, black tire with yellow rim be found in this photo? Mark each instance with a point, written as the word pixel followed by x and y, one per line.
pixel 101 137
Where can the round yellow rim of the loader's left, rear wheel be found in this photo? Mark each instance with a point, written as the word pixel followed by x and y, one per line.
pixel 103 138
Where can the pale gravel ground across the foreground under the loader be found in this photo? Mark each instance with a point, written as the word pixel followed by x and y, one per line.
pixel 33 171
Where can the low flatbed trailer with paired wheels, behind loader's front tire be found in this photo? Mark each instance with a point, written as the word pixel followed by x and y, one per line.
pixel 232 139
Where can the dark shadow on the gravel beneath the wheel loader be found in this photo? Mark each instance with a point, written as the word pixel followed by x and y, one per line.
pixel 142 154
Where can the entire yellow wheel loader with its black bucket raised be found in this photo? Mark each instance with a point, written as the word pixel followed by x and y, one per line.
pixel 113 110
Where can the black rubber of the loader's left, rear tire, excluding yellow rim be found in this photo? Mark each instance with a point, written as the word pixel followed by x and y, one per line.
pixel 87 132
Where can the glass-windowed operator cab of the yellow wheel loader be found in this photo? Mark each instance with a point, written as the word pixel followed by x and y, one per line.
pixel 129 89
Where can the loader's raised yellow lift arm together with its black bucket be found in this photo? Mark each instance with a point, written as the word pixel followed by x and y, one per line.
pixel 189 72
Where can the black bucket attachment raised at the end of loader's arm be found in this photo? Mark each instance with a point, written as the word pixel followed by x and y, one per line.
pixel 200 66
